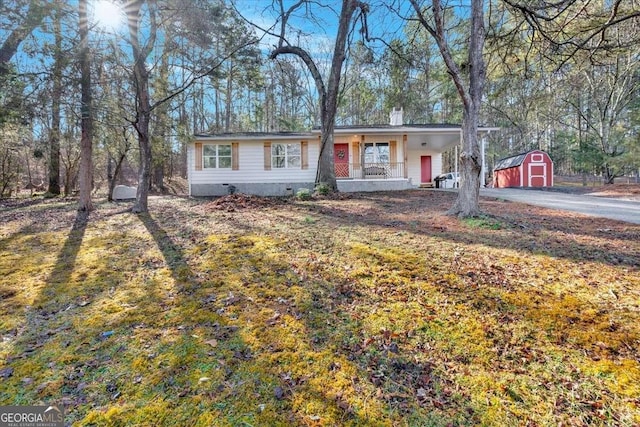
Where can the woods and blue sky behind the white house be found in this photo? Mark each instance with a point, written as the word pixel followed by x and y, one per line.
pixel 208 71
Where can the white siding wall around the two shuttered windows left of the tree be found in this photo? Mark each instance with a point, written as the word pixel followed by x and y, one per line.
pixel 251 165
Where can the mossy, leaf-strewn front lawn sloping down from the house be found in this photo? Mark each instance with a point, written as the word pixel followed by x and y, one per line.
pixel 372 309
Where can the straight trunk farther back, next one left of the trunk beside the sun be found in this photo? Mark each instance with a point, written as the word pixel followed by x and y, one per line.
pixel 54 138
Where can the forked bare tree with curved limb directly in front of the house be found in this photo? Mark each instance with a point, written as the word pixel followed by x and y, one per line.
pixel 328 93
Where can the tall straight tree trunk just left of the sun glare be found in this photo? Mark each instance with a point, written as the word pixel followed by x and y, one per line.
pixel 86 139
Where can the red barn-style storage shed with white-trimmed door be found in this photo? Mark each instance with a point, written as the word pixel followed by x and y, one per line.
pixel 531 169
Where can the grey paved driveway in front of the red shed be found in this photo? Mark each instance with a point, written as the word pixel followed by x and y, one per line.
pixel 621 210
